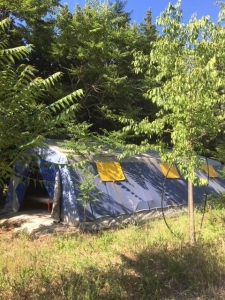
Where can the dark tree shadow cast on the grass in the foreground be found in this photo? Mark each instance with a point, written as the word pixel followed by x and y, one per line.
pixel 156 273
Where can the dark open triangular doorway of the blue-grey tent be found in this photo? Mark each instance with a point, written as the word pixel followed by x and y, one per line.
pixel 36 197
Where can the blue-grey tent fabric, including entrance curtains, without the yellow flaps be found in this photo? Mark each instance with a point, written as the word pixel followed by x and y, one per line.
pixel 140 191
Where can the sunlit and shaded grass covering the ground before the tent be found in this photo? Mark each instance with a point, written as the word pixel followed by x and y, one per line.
pixel 136 262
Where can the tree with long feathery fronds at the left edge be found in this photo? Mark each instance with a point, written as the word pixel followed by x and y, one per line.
pixel 23 121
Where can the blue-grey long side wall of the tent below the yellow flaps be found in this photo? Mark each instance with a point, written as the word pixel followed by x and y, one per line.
pixel 142 190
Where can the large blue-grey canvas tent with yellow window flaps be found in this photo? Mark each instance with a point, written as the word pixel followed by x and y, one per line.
pixel 123 190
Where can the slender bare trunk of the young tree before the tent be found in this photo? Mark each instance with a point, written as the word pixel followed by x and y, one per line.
pixel 191 213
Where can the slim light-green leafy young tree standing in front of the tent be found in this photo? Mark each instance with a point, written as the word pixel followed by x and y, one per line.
pixel 191 108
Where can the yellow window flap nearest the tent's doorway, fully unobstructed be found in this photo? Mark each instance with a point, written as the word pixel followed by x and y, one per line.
pixel 110 171
